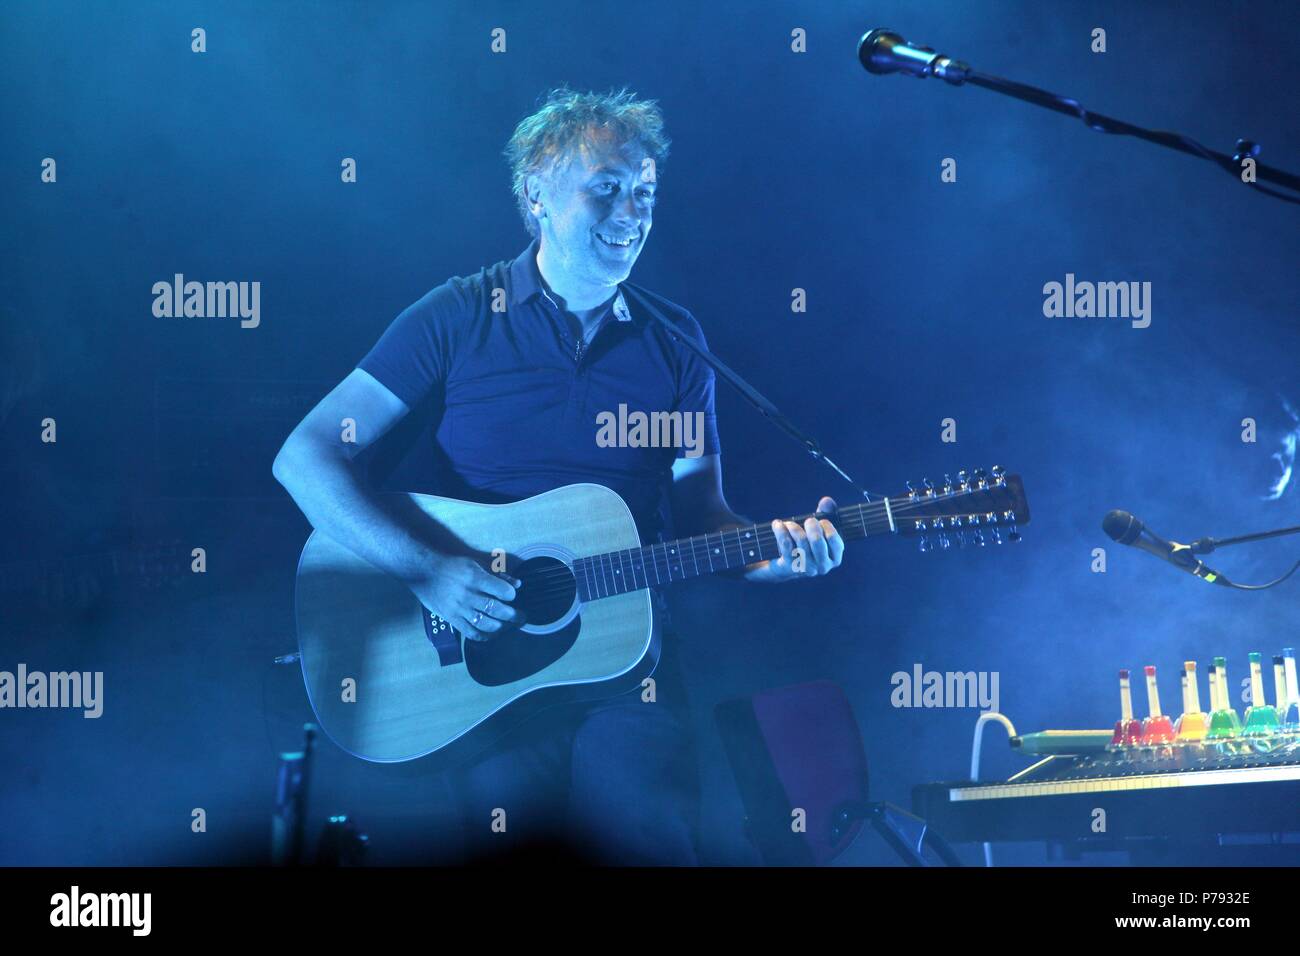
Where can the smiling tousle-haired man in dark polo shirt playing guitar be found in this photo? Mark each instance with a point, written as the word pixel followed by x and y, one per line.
pixel 521 361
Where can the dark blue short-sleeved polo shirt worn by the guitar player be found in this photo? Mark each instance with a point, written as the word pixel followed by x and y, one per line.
pixel 517 397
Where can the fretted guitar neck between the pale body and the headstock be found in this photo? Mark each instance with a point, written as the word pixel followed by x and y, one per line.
pixel 618 573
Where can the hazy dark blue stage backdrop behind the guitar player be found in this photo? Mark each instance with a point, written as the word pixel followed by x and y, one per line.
pixel 788 171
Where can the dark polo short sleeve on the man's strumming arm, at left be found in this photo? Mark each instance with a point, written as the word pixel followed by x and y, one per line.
pixel 414 354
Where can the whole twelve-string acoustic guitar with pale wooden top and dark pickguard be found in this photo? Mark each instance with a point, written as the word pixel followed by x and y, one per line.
pixel 391 681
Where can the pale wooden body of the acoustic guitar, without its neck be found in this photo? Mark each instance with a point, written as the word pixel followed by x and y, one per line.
pixel 389 682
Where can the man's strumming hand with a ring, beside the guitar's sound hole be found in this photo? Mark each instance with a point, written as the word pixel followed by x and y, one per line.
pixel 470 598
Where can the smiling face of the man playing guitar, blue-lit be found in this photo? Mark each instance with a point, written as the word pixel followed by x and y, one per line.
pixel 599 210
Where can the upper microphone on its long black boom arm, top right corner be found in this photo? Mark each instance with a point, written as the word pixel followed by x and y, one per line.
pixel 922 62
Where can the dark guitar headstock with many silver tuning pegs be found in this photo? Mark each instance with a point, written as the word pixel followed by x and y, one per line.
pixel 977 508
